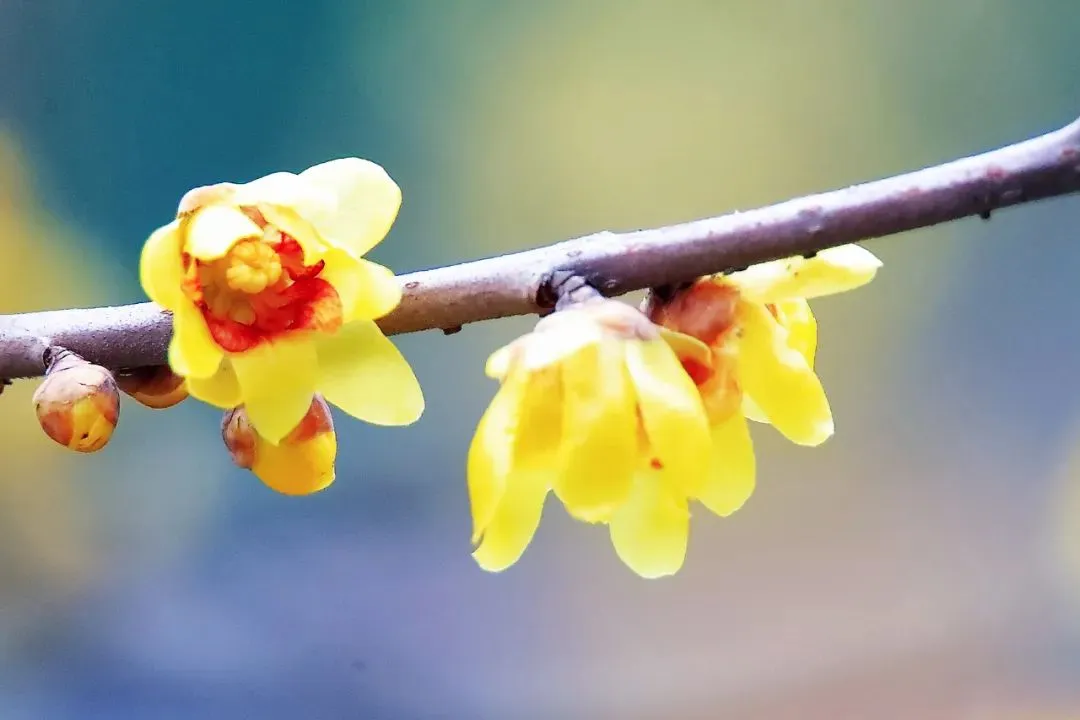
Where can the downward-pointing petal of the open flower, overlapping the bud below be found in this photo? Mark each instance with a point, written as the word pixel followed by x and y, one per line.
pixel 278 382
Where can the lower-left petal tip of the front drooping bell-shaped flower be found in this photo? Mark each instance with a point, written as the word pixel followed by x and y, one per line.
pixel 515 523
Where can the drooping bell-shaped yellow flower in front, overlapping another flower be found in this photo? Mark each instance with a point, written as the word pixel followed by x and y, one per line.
pixel 595 405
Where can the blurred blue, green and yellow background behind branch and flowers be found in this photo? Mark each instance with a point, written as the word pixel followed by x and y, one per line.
pixel 925 563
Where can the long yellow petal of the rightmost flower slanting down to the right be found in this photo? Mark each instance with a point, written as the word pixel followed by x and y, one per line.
pixel 780 381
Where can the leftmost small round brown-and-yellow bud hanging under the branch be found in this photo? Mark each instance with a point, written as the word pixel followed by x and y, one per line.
pixel 78 404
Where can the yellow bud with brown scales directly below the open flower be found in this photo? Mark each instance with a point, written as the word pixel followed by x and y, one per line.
pixel 302 464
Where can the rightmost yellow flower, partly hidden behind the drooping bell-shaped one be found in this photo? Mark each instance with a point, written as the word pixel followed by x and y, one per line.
pixel 764 338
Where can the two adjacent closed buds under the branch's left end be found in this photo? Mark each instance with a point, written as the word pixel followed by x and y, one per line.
pixel 78 403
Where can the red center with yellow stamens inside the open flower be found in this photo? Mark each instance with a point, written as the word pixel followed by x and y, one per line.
pixel 262 289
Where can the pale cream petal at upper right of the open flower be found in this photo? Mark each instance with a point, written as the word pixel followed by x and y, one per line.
pixel 367 208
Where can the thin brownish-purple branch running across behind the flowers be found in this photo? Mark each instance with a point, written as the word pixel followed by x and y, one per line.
pixel 520 283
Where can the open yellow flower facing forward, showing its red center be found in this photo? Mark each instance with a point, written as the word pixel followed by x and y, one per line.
pixel 273 302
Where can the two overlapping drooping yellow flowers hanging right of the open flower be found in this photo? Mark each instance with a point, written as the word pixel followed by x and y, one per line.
pixel 630 417
